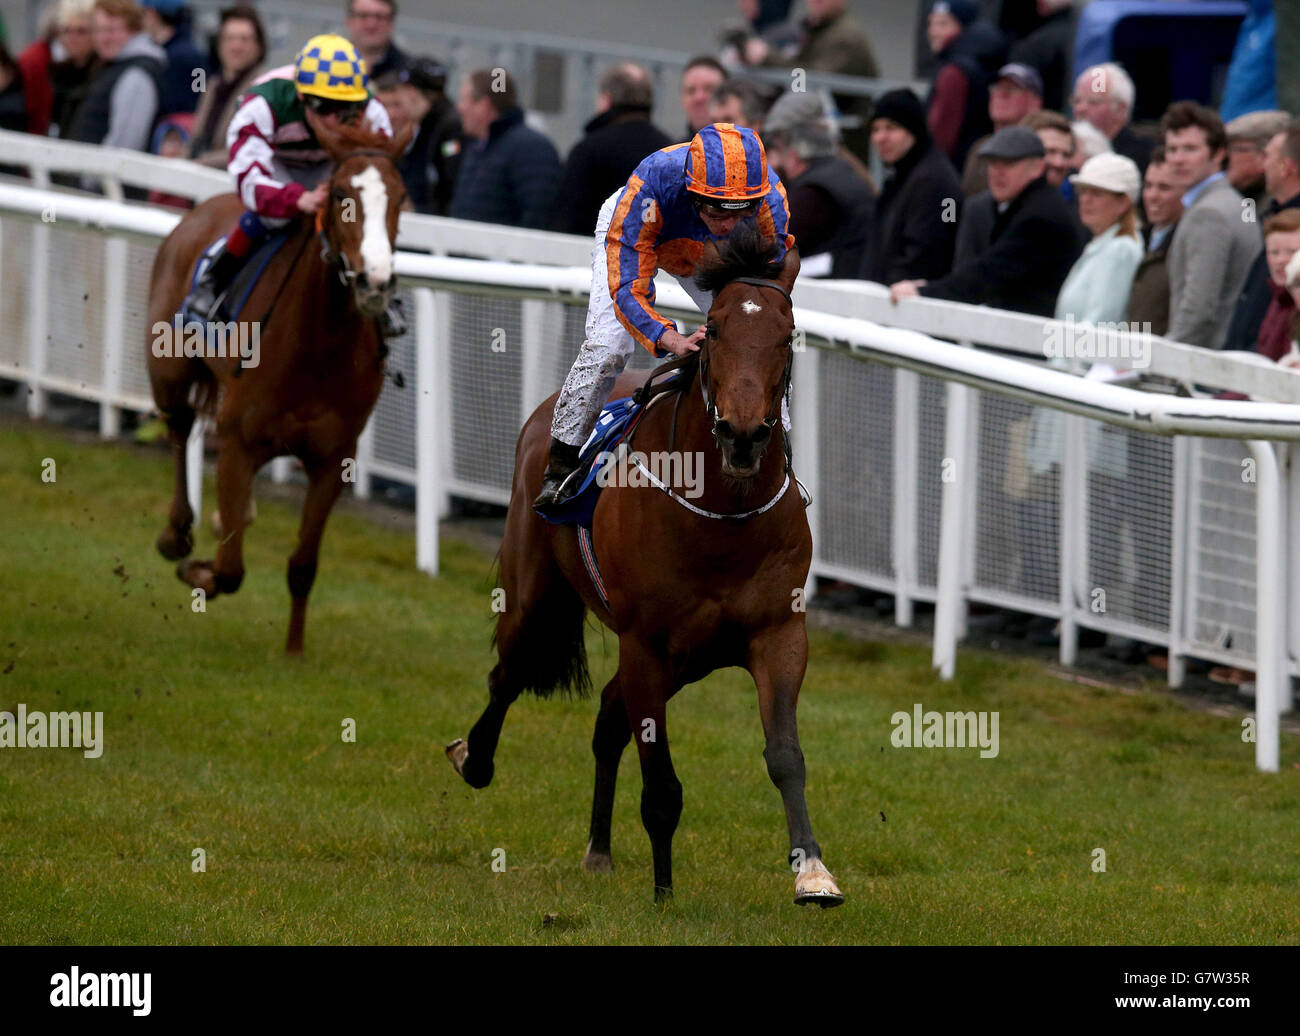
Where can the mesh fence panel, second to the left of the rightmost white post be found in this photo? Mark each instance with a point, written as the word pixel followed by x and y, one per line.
pixel 1129 528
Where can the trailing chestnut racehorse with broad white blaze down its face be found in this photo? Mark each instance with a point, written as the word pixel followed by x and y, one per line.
pixel 320 367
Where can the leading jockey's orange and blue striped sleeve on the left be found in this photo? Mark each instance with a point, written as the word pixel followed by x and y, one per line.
pixel 632 261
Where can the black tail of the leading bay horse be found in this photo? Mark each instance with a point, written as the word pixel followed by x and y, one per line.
pixel 544 649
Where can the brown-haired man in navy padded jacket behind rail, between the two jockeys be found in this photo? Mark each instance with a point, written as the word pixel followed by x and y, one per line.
pixel 509 172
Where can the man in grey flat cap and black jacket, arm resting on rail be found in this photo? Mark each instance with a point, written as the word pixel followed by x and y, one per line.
pixel 1034 242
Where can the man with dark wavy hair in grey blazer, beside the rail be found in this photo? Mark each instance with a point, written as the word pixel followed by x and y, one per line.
pixel 1217 239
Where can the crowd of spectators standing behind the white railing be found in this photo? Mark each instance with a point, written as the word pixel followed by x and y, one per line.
pixel 1006 185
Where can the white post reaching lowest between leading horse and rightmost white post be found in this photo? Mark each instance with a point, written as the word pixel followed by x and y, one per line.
pixel 950 599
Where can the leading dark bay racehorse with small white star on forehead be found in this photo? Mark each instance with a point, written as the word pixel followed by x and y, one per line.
pixel 694 586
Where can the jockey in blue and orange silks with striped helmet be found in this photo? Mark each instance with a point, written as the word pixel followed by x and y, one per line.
pixel 674 202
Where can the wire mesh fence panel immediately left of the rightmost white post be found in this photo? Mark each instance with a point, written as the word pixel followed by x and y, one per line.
pixel 1223 514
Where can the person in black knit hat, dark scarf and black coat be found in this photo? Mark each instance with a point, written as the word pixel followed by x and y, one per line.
pixel 917 213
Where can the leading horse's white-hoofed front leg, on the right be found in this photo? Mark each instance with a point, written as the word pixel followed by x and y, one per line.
pixel 778 658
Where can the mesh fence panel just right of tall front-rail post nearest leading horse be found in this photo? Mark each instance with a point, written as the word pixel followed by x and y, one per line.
pixel 1019 510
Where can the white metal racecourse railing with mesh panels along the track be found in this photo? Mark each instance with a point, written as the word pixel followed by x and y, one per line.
pixel 942 401
